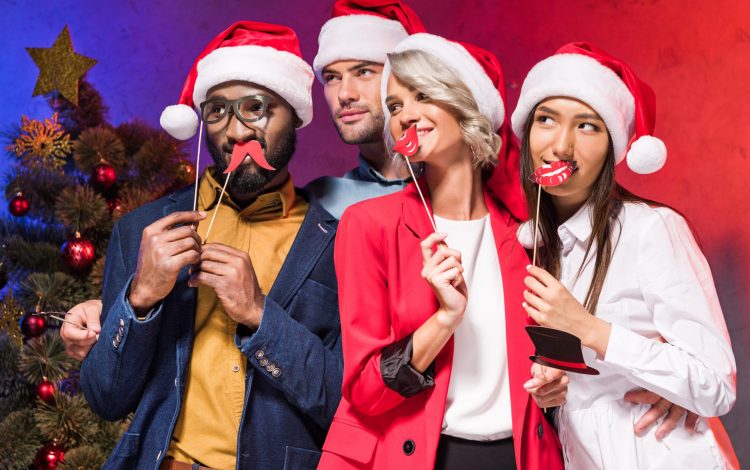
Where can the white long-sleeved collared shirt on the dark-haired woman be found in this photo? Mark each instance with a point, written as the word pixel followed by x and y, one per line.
pixel 668 336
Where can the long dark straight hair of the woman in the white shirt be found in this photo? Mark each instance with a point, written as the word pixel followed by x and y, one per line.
pixel 607 198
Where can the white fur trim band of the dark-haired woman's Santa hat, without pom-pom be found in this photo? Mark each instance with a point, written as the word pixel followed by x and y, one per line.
pixel 584 78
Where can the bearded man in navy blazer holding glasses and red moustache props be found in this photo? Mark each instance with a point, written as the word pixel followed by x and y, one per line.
pixel 226 350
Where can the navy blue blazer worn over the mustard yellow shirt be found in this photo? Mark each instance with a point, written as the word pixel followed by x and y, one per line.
pixel 140 366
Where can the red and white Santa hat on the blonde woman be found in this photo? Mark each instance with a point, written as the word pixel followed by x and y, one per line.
pixel 482 74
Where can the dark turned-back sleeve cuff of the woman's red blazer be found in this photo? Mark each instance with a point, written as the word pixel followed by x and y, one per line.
pixel 397 372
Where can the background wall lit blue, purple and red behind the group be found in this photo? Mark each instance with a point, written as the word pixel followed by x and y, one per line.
pixel 694 55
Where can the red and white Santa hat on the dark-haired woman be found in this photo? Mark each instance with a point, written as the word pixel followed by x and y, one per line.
pixel 625 103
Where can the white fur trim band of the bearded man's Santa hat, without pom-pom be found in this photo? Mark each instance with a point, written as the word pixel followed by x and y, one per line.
pixel 282 72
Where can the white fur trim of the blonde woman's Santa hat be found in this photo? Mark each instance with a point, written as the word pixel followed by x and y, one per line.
pixel 458 59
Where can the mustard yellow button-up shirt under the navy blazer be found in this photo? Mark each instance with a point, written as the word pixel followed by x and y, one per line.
pixel 206 430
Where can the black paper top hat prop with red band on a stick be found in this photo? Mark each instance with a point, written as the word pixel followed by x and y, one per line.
pixel 559 350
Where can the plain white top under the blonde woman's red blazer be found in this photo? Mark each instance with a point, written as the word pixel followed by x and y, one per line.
pixel 478 402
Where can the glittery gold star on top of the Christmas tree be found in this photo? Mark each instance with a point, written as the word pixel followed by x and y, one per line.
pixel 60 67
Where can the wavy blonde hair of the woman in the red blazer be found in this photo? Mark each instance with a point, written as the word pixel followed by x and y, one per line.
pixel 427 74
